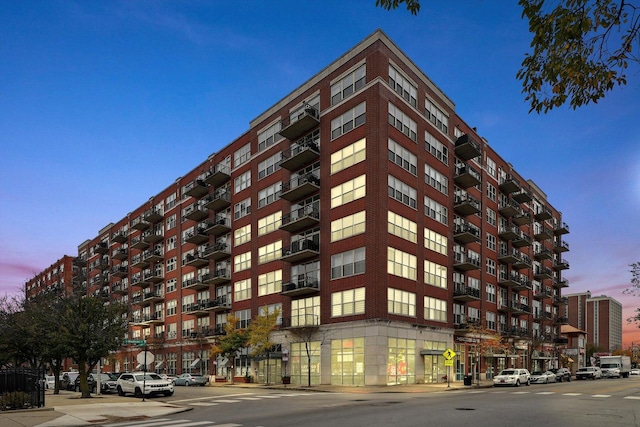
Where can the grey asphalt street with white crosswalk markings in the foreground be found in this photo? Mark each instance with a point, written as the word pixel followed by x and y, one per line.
pixel 578 403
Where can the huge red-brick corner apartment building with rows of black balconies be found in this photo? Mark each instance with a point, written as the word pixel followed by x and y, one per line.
pixel 366 210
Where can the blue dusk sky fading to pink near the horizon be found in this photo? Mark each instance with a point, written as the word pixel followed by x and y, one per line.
pixel 103 104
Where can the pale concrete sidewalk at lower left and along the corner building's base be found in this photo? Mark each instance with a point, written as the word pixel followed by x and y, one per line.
pixel 68 410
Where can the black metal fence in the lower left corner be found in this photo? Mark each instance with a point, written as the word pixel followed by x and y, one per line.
pixel 21 388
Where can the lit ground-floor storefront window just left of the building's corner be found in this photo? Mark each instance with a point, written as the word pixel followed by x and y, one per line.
pixel 347 361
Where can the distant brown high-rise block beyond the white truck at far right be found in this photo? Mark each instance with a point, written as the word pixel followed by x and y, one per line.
pixel 600 317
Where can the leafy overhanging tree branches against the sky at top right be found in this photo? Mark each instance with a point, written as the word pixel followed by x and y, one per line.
pixel 580 48
